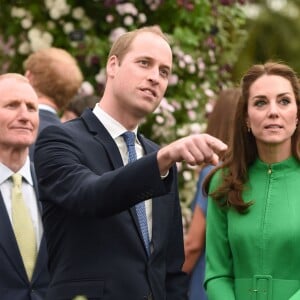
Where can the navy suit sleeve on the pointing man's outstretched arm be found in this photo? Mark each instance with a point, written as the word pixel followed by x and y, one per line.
pixel 68 177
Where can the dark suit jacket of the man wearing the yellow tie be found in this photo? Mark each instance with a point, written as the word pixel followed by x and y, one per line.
pixel 14 283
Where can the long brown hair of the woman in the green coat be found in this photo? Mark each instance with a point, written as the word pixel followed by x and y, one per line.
pixel 243 150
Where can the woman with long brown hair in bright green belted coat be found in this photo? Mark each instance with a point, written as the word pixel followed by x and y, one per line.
pixel 253 220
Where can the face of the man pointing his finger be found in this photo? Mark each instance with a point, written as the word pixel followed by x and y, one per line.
pixel 141 78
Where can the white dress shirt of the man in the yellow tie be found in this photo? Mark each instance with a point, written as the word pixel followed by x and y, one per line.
pixel 28 193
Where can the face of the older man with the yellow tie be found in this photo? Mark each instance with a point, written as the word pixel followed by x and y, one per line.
pixel 19 118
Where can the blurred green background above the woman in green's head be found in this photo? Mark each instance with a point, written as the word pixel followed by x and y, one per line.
pixel 273 29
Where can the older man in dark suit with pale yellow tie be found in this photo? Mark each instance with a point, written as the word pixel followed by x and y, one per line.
pixel 23 254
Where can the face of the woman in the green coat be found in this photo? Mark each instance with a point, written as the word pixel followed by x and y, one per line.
pixel 272 112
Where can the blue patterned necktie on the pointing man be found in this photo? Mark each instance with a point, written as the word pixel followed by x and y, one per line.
pixel 129 138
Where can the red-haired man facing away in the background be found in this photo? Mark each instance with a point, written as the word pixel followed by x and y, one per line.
pixel 56 78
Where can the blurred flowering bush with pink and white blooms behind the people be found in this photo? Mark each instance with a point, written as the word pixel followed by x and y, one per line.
pixel 205 38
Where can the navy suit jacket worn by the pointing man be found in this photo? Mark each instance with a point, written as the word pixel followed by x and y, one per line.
pixel 94 242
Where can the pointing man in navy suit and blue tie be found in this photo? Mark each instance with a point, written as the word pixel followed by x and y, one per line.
pixel 99 244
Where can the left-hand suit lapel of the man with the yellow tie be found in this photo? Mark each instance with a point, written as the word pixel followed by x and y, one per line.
pixel 8 241
